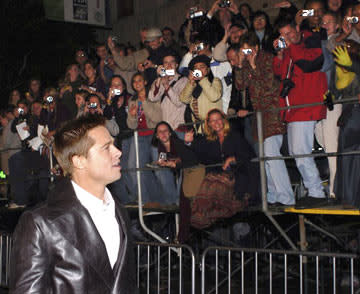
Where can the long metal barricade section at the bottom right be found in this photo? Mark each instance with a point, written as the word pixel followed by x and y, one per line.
pixel 239 270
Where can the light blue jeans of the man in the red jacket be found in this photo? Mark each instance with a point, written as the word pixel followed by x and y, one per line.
pixel 301 141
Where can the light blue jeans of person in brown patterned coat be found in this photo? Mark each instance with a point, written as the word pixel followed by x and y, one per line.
pixel 278 181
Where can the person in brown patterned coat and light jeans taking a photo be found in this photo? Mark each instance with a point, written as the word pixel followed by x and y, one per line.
pixel 255 72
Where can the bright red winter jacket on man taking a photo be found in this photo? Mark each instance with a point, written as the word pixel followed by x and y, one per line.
pixel 309 87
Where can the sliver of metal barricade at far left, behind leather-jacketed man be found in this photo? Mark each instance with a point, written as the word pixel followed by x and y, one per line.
pixel 5 253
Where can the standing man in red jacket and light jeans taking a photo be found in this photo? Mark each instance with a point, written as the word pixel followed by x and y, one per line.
pixel 298 65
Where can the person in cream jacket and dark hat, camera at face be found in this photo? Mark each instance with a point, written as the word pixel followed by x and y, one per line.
pixel 202 92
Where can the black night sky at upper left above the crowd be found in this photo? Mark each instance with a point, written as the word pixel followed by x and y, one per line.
pixel 48 45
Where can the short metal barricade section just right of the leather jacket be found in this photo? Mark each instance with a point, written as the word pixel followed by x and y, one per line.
pixel 165 268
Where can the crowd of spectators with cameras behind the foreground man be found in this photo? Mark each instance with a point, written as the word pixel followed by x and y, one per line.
pixel 228 61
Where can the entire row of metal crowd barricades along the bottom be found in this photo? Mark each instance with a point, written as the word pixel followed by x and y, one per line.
pixel 171 268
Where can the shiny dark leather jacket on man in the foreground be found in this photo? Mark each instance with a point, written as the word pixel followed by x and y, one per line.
pixel 57 249
